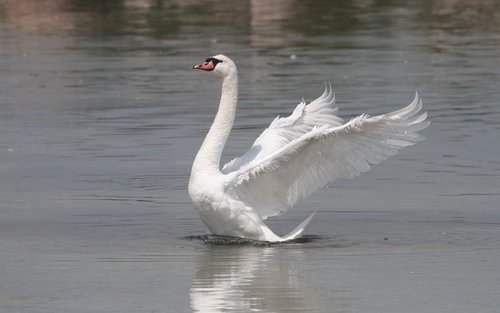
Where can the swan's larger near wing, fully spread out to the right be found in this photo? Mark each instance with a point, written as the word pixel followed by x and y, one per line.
pixel 322 155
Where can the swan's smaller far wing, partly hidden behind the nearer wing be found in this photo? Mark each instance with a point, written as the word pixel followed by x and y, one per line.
pixel 284 130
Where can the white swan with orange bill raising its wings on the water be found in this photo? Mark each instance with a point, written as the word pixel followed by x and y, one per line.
pixel 292 158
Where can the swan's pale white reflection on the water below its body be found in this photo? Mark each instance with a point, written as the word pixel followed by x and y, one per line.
pixel 247 279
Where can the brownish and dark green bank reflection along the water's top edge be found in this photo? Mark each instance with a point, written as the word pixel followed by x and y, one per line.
pixel 269 23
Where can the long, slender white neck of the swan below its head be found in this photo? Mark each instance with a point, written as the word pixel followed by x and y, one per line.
pixel 208 157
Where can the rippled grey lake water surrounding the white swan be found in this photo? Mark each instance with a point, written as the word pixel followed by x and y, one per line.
pixel 101 116
